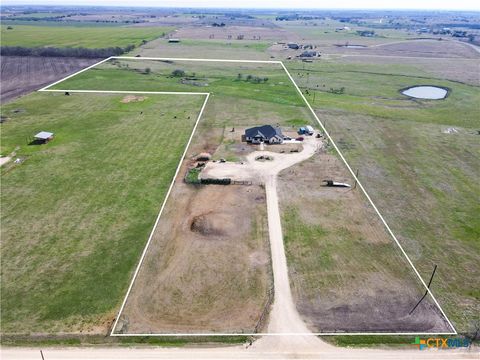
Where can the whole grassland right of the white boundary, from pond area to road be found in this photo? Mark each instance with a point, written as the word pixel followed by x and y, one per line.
pixel 420 177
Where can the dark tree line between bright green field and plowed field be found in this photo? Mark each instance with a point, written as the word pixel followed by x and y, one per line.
pixel 64 52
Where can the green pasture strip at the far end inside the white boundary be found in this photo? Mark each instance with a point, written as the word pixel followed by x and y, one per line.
pixel 217 78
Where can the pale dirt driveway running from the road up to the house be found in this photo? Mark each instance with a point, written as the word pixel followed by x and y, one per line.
pixel 284 317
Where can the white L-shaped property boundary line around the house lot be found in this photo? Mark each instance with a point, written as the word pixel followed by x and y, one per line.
pixel 454 332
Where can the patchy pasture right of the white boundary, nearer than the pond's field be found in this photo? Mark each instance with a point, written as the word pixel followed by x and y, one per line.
pixel 427 194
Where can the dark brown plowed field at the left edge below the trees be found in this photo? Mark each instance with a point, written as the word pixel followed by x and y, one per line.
pixel 23 74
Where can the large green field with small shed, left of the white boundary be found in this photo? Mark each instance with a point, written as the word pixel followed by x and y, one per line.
pixel 77 212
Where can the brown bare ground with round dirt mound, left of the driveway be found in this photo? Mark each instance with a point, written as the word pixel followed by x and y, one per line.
pixel 207 267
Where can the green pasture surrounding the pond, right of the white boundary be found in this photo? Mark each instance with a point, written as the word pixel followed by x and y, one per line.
pixel 374 90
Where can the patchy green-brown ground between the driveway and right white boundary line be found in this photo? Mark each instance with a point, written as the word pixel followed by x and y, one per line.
pixel 346 273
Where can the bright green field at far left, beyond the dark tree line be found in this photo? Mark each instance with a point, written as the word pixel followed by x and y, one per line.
pixel 73 36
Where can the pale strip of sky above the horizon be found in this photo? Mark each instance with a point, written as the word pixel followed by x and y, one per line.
pixel 299 4
